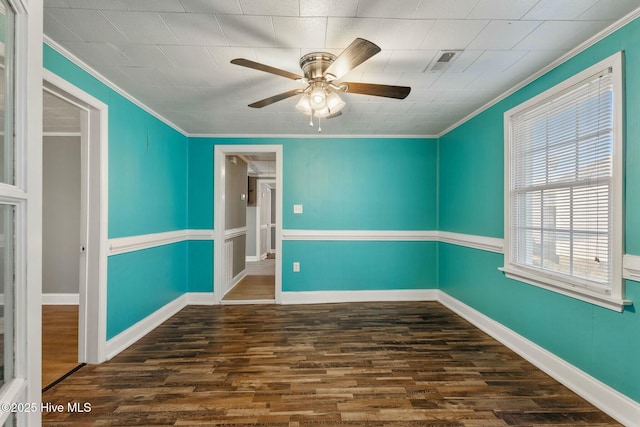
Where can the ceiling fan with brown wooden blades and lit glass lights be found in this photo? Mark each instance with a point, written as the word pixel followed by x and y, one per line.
pixel 322 71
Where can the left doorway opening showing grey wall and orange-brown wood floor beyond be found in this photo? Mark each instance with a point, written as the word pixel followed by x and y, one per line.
pixel 61 225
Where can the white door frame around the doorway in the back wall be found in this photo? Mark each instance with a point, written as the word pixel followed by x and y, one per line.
pixel 219 204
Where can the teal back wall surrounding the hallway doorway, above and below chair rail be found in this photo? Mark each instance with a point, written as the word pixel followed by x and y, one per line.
pixel 343 184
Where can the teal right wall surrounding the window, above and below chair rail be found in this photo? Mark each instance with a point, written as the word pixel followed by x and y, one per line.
pixel 602 342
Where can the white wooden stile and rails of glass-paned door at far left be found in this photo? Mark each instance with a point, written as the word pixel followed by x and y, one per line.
pixel 26 196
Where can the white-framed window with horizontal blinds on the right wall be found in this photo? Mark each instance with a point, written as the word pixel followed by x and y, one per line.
pixel 563 187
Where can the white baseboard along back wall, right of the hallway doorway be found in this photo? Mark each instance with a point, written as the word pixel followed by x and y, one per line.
pixel 324 297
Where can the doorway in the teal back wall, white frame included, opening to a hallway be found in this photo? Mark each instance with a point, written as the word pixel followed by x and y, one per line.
pixel 226 283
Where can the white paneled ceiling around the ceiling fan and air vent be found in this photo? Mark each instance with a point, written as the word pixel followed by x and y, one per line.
pixel 173 55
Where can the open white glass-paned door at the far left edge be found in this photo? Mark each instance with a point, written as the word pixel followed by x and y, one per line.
pixel 21 211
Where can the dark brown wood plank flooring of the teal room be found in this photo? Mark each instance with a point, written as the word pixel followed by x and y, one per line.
pixel 374 364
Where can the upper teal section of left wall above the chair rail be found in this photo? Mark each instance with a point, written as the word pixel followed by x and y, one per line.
pixel 147 160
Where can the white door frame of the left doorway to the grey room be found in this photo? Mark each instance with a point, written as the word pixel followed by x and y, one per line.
pixel 92 327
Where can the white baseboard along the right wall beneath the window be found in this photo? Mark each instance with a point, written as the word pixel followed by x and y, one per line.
pixel 610 401
